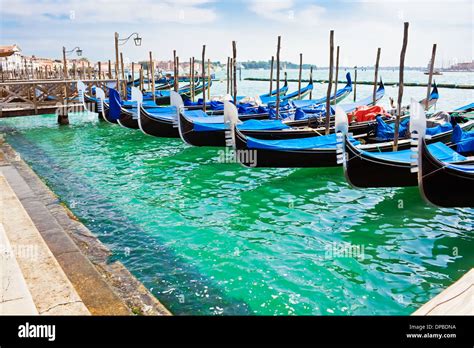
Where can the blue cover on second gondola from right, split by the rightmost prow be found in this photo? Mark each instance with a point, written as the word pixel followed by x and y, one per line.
pixel 439 150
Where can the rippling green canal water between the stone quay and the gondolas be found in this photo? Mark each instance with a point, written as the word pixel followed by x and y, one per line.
pixel 216 238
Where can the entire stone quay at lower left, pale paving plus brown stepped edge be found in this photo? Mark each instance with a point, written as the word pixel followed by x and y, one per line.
pixel 59 266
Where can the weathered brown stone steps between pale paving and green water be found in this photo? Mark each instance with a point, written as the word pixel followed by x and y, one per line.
pixel 105 288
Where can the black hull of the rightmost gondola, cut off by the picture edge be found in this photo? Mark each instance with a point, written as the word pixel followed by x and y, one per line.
pixel 445 184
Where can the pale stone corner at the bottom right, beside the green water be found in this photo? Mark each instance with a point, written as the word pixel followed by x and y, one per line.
pixel 458 299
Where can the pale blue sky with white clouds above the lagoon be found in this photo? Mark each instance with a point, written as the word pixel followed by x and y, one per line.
pixel 42 27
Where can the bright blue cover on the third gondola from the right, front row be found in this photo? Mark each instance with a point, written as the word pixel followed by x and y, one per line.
pixel 318 142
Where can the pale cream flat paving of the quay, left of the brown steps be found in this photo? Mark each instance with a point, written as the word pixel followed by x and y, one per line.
pixel 32 281
